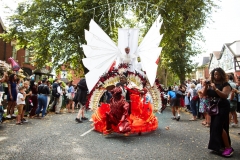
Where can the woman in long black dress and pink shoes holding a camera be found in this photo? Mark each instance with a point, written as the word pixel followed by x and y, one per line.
pixel 218 90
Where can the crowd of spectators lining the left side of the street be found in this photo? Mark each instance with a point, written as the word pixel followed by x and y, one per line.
pixel 28 98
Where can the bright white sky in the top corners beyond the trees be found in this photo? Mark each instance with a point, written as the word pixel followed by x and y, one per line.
pixel 224 29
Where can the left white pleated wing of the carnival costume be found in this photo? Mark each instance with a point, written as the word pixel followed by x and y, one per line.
pixel 100 53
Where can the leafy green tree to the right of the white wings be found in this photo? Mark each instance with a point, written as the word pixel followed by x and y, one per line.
pixel 183 21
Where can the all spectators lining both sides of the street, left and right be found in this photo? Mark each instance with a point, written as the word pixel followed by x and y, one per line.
pixel 36 99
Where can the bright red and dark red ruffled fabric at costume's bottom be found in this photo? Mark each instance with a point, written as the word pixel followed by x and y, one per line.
pixel 141 119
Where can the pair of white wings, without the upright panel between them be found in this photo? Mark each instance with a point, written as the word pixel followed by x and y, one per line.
pixel 101 52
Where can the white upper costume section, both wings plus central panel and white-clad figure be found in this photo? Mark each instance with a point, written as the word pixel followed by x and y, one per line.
pixel 102 53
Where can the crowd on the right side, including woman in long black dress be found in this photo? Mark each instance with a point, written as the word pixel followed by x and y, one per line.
pixel 199 97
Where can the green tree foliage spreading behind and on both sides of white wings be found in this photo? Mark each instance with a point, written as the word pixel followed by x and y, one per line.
pixel 55 29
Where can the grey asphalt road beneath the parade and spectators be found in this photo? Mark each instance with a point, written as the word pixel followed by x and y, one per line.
pixel 59 137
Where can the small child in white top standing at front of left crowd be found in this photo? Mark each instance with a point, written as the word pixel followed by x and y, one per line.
pixel 20 104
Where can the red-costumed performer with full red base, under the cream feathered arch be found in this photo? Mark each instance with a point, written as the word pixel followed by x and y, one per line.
pixel 116 117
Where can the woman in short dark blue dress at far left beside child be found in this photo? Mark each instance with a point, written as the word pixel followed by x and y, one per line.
pixel 12 95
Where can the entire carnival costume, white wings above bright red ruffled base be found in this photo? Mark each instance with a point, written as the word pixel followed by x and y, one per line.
pixel 107 62
